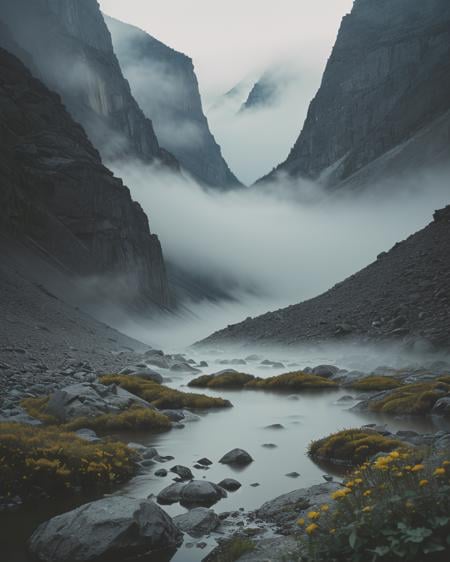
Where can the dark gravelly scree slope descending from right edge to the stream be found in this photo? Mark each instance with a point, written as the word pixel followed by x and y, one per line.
pixel 402 296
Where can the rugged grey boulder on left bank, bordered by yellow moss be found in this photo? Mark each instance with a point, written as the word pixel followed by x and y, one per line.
pixel 90 399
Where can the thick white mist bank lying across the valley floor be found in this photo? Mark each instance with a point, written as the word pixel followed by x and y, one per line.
pixel 266 248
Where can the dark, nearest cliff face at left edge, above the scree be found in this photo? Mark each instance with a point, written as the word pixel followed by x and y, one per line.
pixel 59 200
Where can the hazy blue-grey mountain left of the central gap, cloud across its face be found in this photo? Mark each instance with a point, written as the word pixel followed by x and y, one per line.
pixel 164 83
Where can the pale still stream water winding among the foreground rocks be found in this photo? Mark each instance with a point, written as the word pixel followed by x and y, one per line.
pixel 304 417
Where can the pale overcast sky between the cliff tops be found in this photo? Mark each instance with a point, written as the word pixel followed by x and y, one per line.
pixel 230 39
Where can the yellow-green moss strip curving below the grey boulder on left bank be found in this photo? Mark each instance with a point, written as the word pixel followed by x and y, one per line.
pixel 135 418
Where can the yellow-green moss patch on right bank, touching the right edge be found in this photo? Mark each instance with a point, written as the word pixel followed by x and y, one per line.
pixel 412 399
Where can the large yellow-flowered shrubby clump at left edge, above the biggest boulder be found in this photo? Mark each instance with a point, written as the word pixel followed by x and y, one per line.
pixel 34 460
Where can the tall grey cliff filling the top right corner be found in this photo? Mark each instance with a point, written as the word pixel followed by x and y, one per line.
pixel 384 102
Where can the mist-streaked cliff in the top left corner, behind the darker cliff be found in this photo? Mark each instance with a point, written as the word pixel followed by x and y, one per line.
pixel 73 55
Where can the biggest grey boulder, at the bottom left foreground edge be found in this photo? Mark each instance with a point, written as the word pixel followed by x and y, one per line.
pixel 103 529
